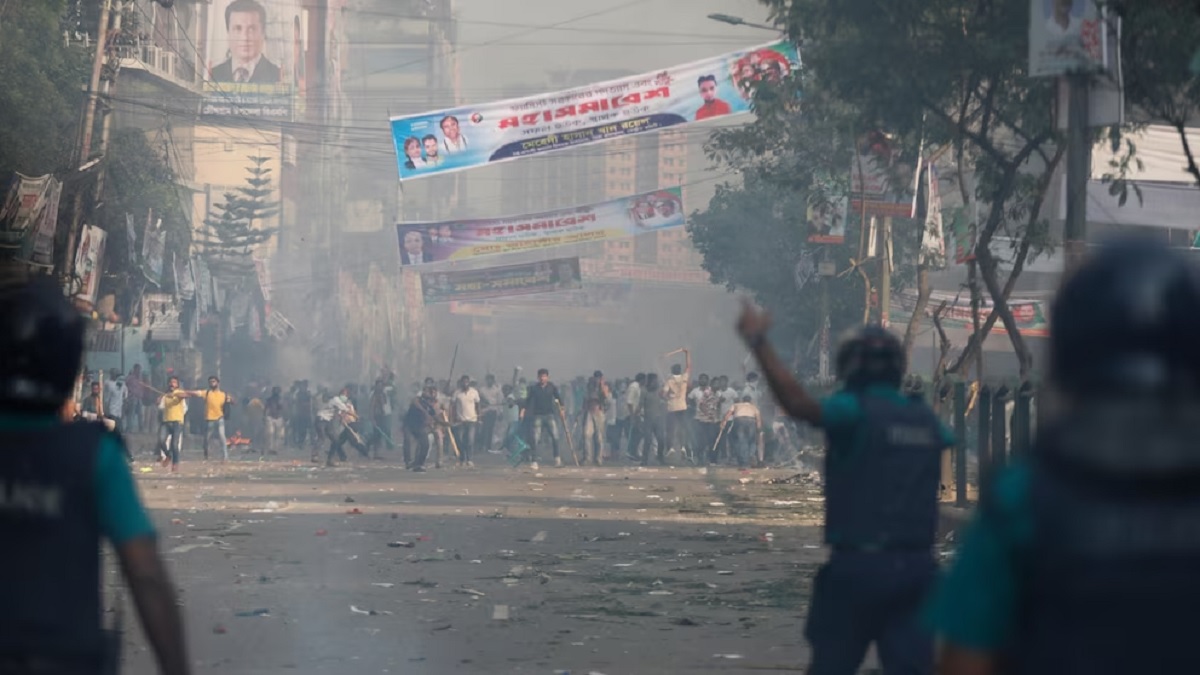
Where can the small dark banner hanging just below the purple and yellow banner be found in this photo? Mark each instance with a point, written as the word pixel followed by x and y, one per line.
pixel 525 279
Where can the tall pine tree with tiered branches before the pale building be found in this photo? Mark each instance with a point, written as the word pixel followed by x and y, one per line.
pixel 232 231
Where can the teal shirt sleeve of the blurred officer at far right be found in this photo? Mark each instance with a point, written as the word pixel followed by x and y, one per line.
pixel 975 605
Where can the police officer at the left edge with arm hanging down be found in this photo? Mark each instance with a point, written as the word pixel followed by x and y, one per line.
pixel 64 487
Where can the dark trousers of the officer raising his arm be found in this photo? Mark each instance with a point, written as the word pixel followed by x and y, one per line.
pixel 860 599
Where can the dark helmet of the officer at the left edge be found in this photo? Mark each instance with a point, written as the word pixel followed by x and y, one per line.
pixel 41 347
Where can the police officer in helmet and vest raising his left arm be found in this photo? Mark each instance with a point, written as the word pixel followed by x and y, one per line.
pixel 881 487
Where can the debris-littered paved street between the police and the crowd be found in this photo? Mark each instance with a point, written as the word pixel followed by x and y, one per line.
pixel 285 568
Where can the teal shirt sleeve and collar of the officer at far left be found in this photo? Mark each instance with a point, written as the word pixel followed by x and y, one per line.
pixel 121 512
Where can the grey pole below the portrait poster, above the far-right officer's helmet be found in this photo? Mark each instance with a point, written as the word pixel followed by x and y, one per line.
pixel 1079 169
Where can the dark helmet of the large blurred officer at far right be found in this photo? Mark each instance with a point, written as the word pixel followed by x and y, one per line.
pixel 1129 322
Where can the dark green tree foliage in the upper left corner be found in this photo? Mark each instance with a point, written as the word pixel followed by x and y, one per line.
pixel 43 93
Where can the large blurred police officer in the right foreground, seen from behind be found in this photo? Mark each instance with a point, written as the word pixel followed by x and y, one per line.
pixel 1087 557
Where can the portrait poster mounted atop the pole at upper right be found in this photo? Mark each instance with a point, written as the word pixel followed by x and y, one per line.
pixel 1066 37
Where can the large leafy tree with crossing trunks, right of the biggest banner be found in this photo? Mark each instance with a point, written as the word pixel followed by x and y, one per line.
pixel 950 75
